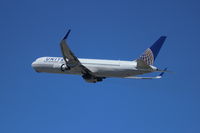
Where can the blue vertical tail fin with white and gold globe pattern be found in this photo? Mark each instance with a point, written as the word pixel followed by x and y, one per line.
pixel 151 53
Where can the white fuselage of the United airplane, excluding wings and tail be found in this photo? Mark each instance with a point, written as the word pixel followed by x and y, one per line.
pixel 101 68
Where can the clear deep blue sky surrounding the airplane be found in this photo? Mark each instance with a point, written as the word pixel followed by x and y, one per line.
pixel 107 29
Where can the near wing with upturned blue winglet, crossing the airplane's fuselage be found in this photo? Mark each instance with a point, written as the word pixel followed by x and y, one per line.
pixel 70 59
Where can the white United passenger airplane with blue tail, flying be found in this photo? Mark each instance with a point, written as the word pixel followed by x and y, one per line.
pixel 96 70
